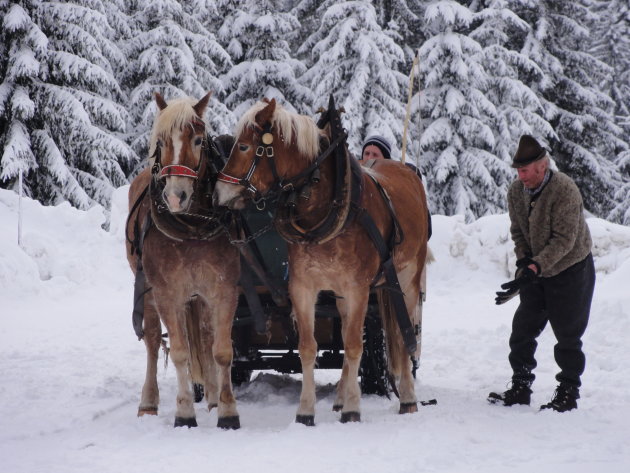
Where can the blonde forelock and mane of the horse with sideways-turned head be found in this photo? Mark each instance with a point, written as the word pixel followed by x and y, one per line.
pixel 288 125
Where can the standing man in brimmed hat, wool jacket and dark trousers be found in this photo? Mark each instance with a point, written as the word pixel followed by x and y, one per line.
pixel 555 276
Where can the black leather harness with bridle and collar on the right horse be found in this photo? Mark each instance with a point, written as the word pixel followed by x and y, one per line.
pixel 344 209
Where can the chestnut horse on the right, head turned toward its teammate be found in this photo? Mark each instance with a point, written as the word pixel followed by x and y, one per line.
pixel 330 246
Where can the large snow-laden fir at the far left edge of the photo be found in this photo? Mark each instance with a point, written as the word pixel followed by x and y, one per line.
pixel 64 103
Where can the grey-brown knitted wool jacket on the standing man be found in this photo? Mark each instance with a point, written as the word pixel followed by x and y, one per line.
pixel 555 233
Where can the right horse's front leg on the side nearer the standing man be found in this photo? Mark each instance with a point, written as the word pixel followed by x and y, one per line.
pixel 353 349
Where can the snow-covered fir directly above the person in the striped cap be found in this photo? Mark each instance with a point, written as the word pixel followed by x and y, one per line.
pixel 356 61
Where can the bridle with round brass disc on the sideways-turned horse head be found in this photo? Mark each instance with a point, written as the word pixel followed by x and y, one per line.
pixel 280 185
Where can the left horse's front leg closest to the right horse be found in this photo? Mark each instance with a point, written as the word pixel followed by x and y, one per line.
pixel 222 352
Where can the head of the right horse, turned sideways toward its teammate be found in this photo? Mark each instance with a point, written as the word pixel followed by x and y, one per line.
pixel 272 145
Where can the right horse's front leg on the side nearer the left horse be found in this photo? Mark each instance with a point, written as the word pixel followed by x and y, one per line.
pixel 303 300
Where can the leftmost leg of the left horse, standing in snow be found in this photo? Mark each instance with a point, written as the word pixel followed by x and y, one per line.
pixel 150 397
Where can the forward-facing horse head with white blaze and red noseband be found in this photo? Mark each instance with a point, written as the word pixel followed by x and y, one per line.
pixel 177 141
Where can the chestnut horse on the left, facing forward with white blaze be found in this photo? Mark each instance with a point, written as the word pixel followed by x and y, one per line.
pixel 191 269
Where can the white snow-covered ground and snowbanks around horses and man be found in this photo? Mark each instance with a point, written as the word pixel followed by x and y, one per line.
pixel 72 369
